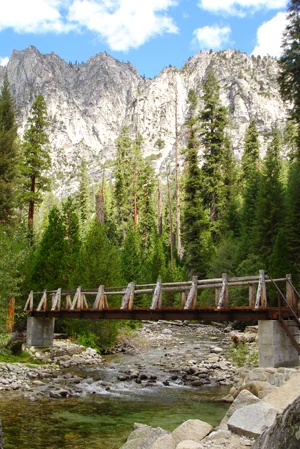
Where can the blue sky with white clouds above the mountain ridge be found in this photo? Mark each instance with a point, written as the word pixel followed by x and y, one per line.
pixel 151 34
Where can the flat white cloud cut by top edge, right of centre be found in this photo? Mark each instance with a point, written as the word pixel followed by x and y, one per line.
pixel 240 7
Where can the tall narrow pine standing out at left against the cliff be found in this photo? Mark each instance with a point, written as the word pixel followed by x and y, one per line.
pixel 36 159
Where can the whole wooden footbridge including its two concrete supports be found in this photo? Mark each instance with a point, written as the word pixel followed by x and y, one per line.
pixel 43 307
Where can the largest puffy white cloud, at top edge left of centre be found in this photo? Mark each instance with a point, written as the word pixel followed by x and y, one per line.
pixel 123 23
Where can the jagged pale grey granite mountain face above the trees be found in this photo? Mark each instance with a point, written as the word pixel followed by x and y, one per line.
pixel 89 103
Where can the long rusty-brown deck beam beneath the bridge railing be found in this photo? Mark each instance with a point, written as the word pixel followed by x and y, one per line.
pixel 169 313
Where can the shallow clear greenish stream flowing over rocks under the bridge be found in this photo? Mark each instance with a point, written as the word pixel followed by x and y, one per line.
pixel 103 420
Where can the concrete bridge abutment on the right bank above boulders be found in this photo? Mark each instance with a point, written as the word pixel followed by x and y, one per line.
pixel 275 347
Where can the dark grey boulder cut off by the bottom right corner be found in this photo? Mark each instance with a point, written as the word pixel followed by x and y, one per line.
pixel 285 433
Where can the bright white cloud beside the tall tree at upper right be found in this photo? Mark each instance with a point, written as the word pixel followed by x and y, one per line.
pixel 269 36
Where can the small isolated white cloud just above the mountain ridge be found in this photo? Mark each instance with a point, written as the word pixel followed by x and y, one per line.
pixel 212 37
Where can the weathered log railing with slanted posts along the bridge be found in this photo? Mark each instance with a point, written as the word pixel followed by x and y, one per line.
pixel 76 300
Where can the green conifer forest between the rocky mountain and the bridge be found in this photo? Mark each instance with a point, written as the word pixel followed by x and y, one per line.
pixel 211 214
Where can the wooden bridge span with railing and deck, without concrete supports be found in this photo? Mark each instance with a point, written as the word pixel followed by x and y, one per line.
pixel 94 303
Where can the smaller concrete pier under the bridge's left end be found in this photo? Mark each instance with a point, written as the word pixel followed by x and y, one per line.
pixel 40 332
